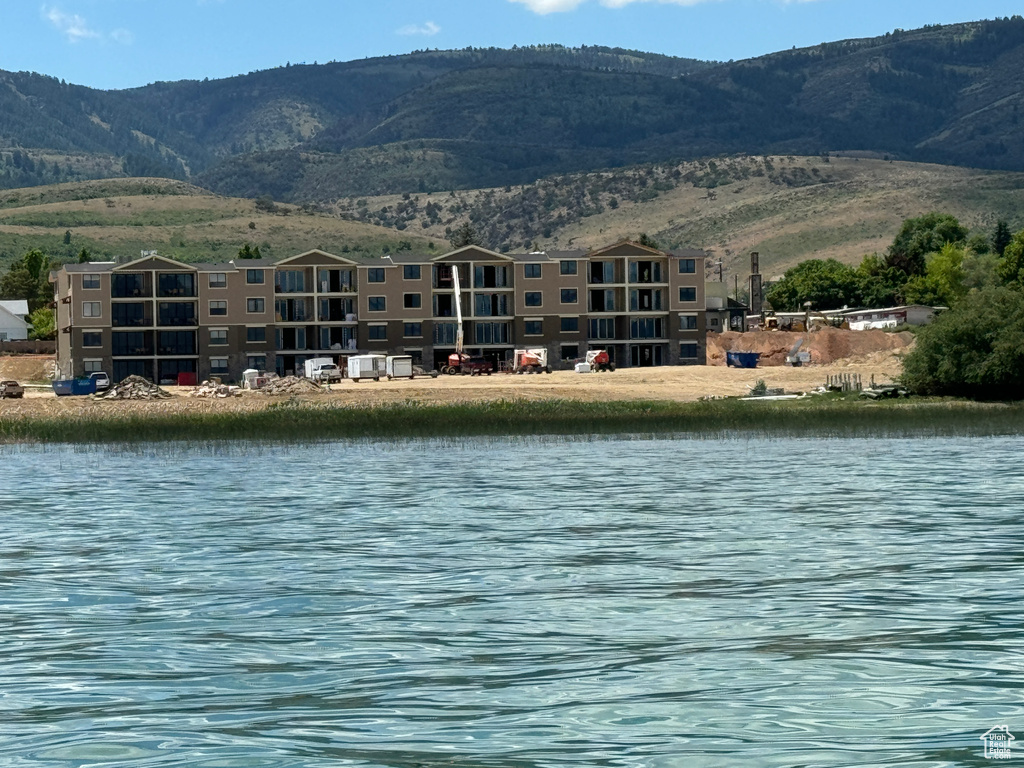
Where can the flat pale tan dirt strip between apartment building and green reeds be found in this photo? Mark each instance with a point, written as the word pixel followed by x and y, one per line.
pixel 680 385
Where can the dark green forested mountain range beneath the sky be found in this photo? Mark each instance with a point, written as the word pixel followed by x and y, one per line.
pixel 468 119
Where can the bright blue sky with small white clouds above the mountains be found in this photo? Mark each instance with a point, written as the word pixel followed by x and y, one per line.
pixel 126 44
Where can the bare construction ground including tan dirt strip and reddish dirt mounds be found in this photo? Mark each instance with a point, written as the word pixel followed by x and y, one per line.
pixel 834 354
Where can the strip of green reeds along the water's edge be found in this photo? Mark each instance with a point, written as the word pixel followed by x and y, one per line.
pixel 295 421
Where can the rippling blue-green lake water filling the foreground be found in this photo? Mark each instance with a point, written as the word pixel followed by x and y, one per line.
pixel 513 604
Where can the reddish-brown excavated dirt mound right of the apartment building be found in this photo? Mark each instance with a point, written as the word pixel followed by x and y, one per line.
pixel 826 346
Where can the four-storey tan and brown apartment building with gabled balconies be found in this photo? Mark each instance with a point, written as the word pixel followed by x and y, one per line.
pixel 169 321
